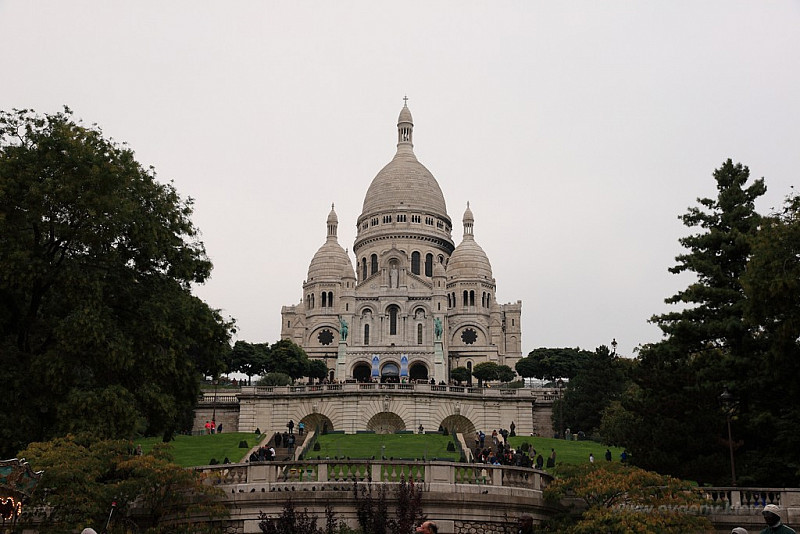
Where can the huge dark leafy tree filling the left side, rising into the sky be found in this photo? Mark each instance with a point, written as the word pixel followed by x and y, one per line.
pixel 98 326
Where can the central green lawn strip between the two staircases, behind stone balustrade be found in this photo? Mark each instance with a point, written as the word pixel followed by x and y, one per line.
pixel 397 446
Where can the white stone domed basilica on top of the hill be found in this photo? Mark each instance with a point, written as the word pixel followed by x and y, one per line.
pixel 416 306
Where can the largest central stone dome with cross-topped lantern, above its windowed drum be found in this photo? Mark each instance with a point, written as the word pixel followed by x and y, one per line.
pixel 404 183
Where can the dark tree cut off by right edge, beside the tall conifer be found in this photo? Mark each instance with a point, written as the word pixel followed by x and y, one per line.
pixel 772 286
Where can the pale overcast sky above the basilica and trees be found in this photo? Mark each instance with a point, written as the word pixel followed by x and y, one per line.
pixel 578 131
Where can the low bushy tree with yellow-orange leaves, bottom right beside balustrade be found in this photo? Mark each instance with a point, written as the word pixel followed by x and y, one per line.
pixel 622 498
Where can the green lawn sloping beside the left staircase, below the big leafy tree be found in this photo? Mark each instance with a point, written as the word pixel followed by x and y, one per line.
pixel 190 451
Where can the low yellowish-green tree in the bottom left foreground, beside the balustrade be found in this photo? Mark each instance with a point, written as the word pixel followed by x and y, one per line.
pixel 83 476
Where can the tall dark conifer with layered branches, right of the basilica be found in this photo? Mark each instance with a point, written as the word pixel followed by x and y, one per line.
pixel 707 342
